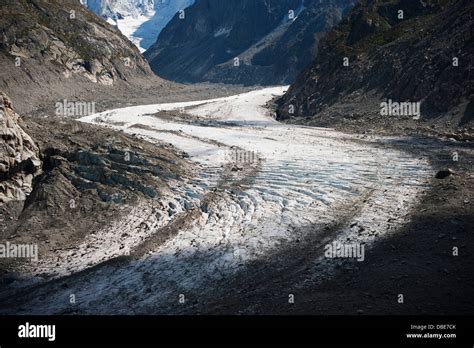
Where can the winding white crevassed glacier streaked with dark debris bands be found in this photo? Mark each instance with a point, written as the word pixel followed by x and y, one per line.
pixel 232 212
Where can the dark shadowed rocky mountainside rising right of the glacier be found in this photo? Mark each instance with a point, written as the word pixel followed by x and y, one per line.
pixel 403 50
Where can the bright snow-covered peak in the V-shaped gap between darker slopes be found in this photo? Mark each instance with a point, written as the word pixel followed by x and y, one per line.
pixel 140 20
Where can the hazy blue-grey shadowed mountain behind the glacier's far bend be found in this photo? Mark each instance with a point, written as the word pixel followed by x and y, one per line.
pixel 244 41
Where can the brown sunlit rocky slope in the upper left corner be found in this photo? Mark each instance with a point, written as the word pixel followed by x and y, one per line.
pixel 51 49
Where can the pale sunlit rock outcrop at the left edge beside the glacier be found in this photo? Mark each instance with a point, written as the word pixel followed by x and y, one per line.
pixel 19 156
